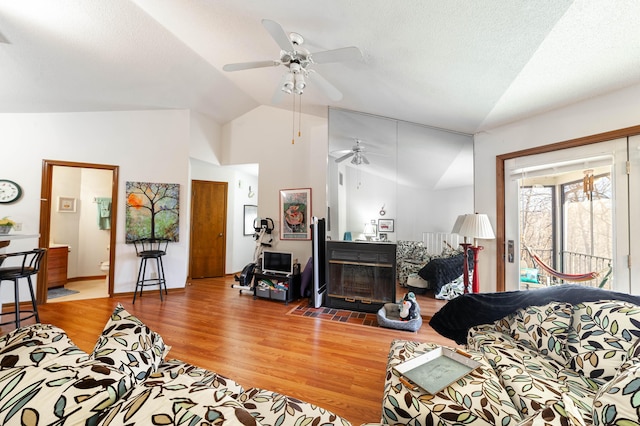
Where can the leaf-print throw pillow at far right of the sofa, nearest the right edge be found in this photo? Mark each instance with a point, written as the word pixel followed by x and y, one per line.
pixel 602 334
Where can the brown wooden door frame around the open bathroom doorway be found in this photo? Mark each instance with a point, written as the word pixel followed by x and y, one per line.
pixel 45 218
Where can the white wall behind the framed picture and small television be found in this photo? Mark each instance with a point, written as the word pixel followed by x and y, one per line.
pixel 263 136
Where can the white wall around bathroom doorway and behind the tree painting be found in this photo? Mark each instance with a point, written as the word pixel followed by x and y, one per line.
pixel 151 146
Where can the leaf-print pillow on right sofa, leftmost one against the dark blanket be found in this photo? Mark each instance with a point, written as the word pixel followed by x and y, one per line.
pixel 544 328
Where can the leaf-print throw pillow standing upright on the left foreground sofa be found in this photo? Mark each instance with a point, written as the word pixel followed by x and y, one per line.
pixel 127 344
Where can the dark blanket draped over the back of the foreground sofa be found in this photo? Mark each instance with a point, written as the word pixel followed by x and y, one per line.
pixel 455 318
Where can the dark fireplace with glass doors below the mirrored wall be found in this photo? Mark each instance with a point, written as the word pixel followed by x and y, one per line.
pixel 361 275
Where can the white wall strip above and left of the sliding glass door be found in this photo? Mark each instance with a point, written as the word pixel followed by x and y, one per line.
pixel 613 111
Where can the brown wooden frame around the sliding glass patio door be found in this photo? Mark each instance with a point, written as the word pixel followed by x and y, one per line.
pixel 500 185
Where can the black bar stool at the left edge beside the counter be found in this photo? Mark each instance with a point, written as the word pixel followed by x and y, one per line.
pixel 27 264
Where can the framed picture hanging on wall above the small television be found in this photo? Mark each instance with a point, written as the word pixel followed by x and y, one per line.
pixel 295 214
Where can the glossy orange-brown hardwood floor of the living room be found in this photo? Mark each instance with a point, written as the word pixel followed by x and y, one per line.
pixel 338 366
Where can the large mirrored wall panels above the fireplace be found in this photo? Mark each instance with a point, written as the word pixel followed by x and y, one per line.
pixel 394 180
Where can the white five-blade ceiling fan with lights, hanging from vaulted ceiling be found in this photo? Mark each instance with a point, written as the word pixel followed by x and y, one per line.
pixel 297 60
